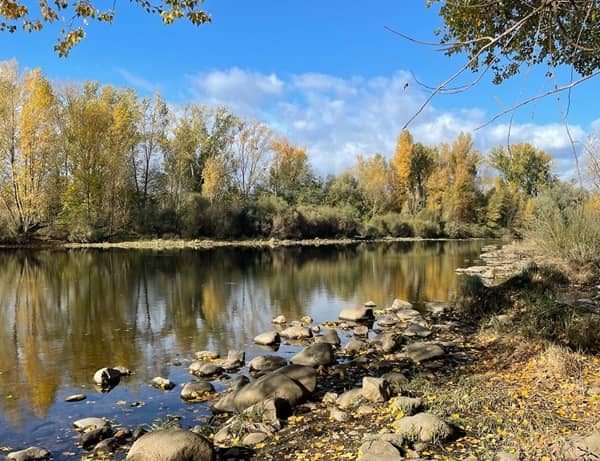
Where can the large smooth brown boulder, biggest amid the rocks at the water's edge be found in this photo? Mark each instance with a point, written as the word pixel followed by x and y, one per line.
pixel 292 383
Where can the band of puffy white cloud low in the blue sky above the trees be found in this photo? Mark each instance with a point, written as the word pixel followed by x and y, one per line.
pixel 338 118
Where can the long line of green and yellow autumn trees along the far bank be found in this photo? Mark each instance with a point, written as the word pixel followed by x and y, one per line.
pixel 93 162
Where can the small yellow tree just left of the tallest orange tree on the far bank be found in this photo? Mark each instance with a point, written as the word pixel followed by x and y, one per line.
pixel 373 177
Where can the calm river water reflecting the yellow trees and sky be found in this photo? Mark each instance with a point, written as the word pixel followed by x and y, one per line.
pixel 64 314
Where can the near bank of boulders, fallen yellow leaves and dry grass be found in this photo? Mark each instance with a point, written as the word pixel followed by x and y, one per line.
pixel 392 382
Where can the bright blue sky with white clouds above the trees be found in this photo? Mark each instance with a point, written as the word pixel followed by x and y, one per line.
pixel 325 73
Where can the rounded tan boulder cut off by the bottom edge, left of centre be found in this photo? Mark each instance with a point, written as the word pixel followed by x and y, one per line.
pixel 171 445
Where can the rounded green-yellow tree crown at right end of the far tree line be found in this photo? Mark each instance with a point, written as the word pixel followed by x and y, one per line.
pixel 524 166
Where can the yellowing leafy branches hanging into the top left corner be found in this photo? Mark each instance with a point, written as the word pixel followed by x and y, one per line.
pixel 17 14
